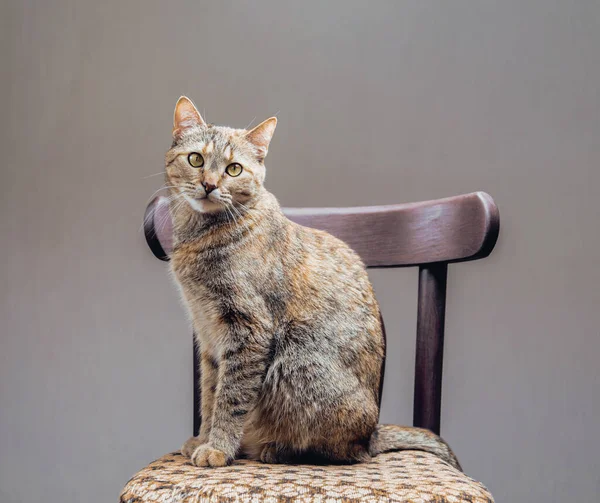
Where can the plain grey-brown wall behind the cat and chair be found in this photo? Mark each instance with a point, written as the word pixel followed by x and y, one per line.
pixel 378 103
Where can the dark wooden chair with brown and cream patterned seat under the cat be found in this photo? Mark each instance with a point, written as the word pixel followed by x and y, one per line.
pixel 428 235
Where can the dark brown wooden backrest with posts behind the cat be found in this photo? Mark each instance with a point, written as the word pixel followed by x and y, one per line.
pixel 428 234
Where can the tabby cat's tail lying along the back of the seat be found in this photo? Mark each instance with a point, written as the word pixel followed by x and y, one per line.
pixel 389 437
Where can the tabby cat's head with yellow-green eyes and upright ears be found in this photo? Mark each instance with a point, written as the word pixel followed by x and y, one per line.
pixel 213 167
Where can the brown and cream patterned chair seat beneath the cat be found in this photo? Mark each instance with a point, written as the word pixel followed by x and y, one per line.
pixel 408 476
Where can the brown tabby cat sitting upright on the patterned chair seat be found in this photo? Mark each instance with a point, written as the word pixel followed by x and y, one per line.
pixel 286 319
